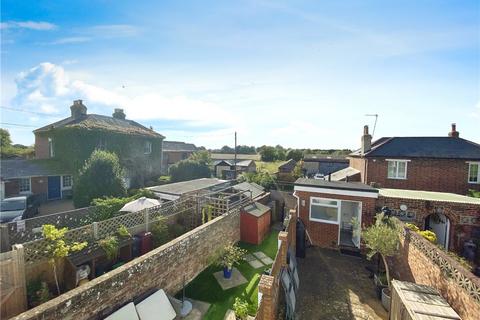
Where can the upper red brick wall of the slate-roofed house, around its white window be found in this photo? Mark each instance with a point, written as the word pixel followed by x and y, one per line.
pixel 443 175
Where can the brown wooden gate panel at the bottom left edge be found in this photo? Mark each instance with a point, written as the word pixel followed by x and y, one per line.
pixel 13 294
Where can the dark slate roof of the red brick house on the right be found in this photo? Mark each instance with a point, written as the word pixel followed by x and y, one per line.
pixel 423 147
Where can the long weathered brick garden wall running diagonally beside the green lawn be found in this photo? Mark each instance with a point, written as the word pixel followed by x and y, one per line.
pixel 163 267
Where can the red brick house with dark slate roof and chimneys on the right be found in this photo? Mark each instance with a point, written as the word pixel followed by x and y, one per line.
pixel 443 164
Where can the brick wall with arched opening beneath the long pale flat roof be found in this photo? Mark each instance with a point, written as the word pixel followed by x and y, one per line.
pixel 459 232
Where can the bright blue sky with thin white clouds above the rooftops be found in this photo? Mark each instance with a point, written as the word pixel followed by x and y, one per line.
pixel 302 74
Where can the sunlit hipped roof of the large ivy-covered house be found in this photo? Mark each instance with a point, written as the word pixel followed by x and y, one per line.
pixel 101 122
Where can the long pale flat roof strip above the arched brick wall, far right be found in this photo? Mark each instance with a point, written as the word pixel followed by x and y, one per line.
pixel 427 195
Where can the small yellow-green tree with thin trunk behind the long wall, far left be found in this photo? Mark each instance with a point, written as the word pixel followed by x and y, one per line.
pixel 58 248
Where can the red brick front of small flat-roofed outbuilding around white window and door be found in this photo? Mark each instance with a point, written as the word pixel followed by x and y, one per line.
pixel 324 234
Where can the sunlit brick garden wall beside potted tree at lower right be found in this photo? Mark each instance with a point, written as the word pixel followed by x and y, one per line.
pixel 422 262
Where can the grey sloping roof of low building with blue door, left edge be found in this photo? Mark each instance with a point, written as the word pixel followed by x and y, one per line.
pixel 20 168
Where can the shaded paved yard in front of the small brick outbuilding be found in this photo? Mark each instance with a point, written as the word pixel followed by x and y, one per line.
pixel 336 287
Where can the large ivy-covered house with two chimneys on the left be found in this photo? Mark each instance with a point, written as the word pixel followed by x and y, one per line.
pixel 71 141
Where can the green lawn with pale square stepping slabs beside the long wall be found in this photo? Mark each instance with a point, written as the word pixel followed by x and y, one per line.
pixel 205 287
